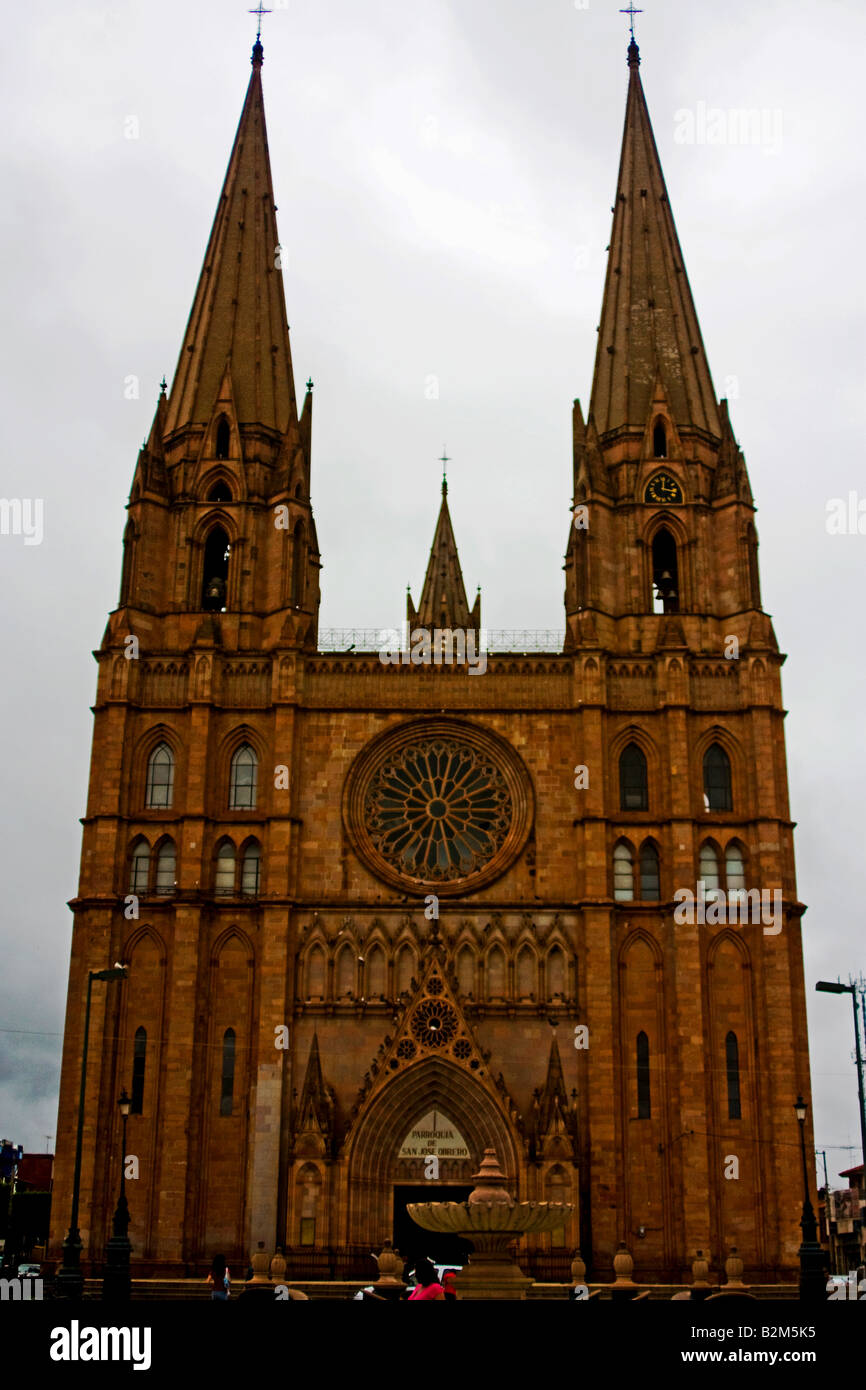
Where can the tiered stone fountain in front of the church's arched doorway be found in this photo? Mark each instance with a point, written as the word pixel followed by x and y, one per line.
pixel 491 1221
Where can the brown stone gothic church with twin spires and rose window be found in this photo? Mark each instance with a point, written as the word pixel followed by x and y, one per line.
pixel 357 894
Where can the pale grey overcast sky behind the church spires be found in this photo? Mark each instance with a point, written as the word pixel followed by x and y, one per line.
pixel 444 174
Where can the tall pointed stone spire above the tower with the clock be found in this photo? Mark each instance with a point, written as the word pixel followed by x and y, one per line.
pixel 648 332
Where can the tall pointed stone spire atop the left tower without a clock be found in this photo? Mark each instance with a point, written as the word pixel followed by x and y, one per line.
pixel 238 316
